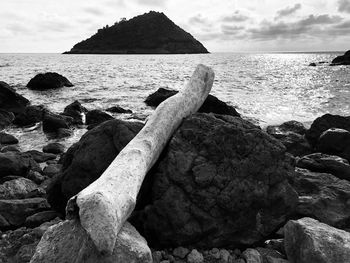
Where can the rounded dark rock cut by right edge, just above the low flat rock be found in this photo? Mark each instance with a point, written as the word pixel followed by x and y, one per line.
pixel 335 142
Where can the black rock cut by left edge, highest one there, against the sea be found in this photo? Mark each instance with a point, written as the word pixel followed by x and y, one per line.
pixel 10 100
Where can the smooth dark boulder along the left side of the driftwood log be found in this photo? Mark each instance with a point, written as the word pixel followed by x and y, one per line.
pixel 86 160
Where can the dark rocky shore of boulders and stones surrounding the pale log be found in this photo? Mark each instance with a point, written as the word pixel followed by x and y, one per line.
pixel 223 190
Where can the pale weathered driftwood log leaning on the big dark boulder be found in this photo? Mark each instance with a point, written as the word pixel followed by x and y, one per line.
pixel 105 205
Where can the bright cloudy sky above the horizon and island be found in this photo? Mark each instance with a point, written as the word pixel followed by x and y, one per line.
pixel 221 25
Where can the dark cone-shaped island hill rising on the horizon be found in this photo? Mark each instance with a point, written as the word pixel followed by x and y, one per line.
pixel 150 33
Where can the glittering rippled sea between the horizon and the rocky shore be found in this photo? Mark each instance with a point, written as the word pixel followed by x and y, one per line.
pixel 267 88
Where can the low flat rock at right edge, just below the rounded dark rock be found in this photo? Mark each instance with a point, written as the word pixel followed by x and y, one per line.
pixel 324 163
